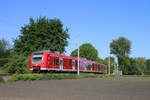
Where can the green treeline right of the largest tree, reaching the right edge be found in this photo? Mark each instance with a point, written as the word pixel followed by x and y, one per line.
pixel 120 48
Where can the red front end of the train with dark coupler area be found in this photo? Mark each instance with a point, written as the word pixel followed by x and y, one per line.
pixel 37 62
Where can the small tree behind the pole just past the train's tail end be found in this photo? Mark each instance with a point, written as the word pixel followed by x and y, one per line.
pixel 112 63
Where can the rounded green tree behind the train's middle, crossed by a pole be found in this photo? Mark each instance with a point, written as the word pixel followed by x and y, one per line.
pixel 86 51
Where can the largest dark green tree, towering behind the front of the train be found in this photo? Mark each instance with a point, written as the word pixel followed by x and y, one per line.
pixel 42 34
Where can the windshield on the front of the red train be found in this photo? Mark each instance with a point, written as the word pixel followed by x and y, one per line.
pixel 37 58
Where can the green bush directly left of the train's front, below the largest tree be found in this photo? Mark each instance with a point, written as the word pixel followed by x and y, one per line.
pixel 17 64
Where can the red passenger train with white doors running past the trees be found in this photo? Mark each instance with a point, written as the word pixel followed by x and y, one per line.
pixel 49 61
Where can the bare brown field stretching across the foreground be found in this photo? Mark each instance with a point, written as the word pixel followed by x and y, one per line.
pixel 128 88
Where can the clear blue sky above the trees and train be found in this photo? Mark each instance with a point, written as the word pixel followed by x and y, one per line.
pixel 97 21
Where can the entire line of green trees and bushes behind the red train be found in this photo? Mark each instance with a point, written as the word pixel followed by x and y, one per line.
pixel 49 34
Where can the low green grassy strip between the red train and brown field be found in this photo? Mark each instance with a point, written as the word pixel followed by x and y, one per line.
pixel 24 77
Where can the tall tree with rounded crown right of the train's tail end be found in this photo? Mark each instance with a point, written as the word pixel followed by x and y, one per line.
pixel 121 49
